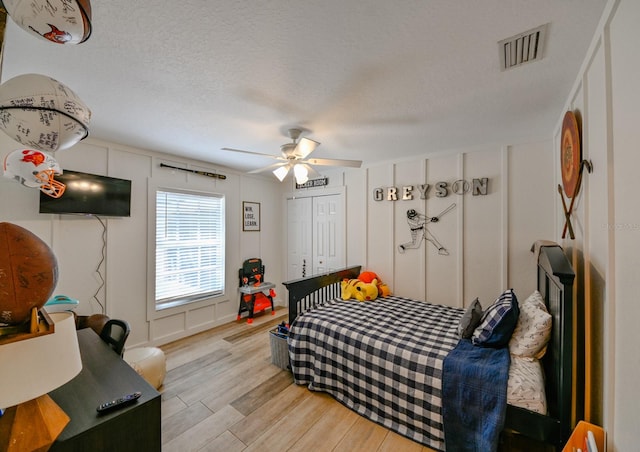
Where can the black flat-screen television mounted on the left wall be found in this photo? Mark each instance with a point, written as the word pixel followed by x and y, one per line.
pixel 89 194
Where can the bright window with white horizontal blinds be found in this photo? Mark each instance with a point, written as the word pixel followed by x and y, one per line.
pixel 189 247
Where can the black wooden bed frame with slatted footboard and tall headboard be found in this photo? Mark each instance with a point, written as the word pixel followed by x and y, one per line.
pixel 555 282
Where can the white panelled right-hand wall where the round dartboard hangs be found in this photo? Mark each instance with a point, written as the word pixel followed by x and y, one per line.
pixel 607 221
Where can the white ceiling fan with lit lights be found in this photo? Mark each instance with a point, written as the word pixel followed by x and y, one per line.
pixel 294 156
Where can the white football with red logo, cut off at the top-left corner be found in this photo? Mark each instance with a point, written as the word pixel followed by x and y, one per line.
pixel 59 21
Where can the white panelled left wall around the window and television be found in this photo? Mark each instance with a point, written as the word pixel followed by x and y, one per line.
pixel 77 241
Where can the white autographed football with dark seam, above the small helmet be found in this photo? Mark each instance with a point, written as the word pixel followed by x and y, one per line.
pixel 42 113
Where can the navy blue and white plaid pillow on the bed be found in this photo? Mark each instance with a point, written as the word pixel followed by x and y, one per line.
pixel 498 322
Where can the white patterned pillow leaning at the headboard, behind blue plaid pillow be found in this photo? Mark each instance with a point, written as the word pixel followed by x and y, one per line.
pixel 533 329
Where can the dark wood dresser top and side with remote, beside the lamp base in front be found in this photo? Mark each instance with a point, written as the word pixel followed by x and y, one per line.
pixel 104 377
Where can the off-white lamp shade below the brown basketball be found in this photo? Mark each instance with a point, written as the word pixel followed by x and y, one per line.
pixel 36 366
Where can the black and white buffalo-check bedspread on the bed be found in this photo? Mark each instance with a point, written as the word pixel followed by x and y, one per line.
pixel 382 359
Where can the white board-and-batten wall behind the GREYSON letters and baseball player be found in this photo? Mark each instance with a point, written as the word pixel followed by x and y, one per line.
pixel 488 237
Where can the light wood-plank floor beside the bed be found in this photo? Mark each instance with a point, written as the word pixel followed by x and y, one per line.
pixel 222 393
